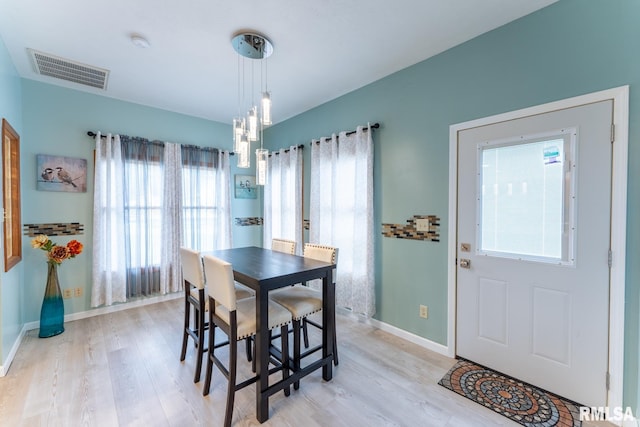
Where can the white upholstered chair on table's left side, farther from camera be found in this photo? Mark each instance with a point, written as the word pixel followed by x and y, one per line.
pixel 195 296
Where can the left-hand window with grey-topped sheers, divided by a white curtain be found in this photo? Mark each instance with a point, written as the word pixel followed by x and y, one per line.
pixel 146 173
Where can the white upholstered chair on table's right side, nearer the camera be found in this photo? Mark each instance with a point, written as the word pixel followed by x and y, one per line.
pixel 302 301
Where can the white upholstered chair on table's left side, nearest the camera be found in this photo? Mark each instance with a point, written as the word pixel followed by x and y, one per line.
pixel 237 319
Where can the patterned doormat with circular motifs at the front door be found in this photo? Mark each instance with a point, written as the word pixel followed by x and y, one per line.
pixel 518 401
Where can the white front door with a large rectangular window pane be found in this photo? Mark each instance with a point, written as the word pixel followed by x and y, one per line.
pixel 534 203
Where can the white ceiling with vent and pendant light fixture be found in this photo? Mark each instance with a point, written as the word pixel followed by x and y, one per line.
pixel 322 48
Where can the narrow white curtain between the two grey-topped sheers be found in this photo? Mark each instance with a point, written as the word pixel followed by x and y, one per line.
pixel 170 270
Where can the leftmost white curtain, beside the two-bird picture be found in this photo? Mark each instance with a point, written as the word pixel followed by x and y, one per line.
pixel 109 265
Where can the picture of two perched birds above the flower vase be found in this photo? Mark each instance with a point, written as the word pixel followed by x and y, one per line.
pixel 56 173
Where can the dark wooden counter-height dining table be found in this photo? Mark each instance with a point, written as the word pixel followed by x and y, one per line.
pixel 264 270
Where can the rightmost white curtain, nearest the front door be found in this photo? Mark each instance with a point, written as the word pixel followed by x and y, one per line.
pixel 341 213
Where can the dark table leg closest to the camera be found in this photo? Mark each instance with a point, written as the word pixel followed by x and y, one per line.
pixel 262 356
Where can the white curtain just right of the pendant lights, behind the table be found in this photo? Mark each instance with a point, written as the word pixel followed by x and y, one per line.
pixel 283 197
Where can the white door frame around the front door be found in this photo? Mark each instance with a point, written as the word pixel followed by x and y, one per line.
pixel 620 98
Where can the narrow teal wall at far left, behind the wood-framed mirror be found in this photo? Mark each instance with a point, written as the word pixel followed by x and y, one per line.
pixel 11 313
